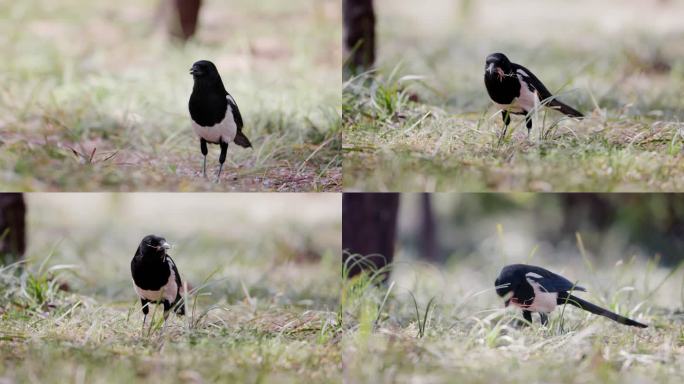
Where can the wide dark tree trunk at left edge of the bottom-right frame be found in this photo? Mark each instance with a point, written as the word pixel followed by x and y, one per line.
pixel 369 226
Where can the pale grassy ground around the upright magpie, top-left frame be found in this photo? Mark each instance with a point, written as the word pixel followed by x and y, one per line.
pixel 94 96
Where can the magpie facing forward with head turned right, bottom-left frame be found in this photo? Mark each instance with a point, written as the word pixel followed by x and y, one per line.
pixel 155 277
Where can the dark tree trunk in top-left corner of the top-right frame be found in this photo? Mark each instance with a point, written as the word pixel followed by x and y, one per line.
pixel 359 35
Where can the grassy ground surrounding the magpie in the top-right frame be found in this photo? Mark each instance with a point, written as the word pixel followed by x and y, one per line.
pixel 422 121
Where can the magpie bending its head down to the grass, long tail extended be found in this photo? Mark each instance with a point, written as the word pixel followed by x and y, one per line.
pixel 535 289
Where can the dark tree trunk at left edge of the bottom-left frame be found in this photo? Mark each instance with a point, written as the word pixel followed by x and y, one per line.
pixel 12 227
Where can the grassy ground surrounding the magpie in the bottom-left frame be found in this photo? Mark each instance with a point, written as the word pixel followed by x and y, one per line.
pixel 264 309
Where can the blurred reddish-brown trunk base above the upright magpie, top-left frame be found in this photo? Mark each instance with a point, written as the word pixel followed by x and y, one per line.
pixel 180 16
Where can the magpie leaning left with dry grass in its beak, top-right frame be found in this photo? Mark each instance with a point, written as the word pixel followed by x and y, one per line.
pixel 515 89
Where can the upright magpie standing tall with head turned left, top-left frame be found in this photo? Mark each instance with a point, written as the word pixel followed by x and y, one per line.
pixel 215 116
